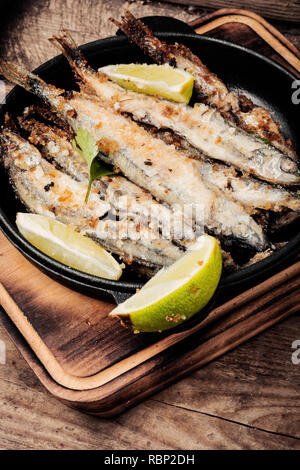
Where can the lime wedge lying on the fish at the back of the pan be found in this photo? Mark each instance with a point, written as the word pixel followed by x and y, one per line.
pixel 162 80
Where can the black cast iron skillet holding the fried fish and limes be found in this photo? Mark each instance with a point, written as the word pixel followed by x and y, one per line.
pixel 259 78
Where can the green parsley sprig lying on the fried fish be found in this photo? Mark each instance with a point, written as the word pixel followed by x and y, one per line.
pixel 86 145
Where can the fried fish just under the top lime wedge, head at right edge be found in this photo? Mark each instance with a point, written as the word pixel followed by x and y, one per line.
pixel 202 126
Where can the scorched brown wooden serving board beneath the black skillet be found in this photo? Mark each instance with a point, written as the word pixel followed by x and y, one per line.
pixel 93 364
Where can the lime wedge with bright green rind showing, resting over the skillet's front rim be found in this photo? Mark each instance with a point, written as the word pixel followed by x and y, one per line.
pixel 175 293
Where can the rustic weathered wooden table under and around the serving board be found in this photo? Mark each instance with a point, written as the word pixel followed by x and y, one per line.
pixel 248 399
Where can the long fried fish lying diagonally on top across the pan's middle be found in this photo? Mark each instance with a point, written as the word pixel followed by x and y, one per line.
pixel 146 161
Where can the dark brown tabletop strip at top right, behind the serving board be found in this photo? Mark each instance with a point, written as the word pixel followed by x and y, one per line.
pixel 276 9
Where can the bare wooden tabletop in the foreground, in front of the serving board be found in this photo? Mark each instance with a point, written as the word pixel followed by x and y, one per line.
pixel 248 399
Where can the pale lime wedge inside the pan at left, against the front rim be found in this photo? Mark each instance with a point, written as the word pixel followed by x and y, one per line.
pixel 64 244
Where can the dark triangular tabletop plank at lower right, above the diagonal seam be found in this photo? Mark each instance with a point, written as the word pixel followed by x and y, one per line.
pixel 257 384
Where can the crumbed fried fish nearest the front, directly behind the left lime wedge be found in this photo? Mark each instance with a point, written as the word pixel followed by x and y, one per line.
pixel 47 191
